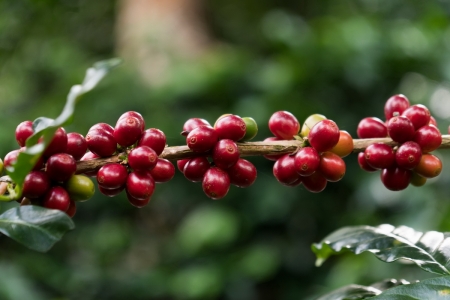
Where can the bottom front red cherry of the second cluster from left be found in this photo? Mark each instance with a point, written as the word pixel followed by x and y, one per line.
pixel 140 185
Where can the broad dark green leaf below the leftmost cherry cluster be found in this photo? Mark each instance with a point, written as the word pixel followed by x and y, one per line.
pixel 35 227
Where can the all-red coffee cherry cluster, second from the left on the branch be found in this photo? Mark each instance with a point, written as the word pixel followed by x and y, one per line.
pixel 140 167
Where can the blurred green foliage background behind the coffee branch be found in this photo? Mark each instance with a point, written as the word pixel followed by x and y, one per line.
pixel 342 59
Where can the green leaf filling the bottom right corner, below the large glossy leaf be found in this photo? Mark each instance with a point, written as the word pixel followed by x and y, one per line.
pixel 433 288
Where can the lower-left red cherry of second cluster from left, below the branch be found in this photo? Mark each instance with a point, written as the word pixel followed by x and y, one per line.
pixel 112 176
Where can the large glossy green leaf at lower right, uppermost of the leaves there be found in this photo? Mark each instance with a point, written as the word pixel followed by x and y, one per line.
pixel 429 250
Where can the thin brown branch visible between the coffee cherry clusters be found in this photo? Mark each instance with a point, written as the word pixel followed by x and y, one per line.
pixel 246 149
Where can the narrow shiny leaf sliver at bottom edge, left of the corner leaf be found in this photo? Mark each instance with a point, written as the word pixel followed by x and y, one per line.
pixel 357 292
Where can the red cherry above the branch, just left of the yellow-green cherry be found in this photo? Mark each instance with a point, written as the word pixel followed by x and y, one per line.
pixel 284 125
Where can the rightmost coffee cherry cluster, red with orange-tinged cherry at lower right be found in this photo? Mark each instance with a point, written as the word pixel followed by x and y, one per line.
pixel 416 133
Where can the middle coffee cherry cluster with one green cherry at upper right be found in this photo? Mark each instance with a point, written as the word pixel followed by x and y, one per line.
pixel 219 142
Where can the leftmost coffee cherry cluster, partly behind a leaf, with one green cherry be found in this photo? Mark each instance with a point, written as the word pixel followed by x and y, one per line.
pixel 52 183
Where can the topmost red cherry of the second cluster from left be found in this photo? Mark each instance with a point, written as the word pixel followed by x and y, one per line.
pixel 128 131
